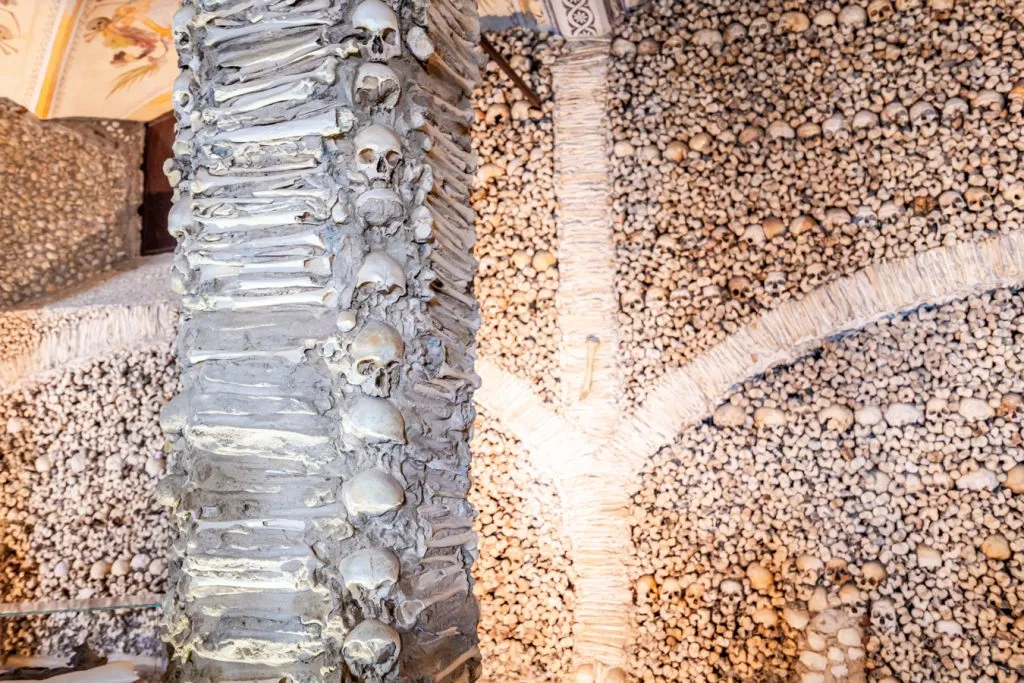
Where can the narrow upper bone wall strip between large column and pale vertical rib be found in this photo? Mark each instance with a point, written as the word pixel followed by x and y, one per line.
pixel 515 200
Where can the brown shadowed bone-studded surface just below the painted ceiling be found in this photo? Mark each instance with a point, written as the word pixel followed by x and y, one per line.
pixel 69 201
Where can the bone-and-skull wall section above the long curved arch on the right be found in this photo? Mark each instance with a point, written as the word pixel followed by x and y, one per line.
pixel 762 150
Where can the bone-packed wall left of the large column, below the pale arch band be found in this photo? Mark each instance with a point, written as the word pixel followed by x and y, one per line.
pixel 82 453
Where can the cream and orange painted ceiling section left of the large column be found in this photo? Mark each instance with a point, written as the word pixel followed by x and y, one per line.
pixel 109 59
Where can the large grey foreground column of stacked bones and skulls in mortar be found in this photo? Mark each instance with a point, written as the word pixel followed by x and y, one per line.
pixel 319 449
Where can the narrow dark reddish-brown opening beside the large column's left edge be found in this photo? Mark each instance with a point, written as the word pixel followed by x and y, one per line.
pixel 157 196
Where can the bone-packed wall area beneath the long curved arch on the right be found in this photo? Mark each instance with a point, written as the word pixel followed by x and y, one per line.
pixel 730 495
